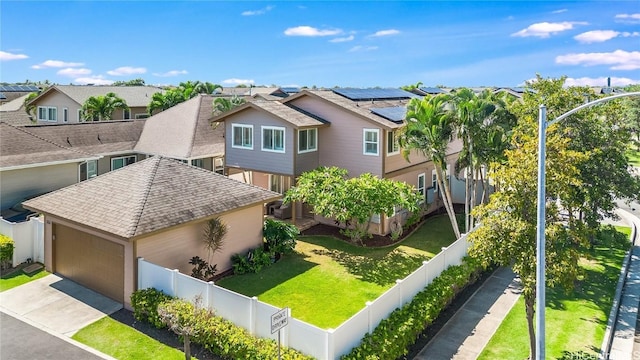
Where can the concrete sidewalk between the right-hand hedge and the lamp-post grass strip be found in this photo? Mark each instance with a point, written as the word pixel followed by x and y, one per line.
pixel 466 334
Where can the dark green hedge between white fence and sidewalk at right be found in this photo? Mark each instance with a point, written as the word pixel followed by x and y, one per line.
pixel 394 335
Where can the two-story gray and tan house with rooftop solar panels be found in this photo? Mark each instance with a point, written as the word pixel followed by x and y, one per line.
pixel 271 143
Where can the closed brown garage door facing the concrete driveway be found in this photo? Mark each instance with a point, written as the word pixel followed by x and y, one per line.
pixel 89 260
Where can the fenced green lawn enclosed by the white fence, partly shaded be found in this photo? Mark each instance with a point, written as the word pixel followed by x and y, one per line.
pixel 329 280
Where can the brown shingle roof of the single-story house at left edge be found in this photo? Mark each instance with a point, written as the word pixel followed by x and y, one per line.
pixel 20 148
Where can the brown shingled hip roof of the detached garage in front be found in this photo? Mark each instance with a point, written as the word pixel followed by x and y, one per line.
pixel 150 195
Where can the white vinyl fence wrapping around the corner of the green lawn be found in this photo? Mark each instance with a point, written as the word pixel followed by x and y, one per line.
pixel 255 316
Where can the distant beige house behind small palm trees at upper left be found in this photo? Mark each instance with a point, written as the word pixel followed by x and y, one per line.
pixel 61 104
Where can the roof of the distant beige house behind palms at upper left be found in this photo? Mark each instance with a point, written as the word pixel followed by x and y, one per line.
pixel 135 96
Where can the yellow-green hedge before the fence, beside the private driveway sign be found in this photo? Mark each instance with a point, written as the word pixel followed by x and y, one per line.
pixel 221 337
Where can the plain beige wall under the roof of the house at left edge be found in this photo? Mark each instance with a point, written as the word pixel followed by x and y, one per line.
pixel 20 183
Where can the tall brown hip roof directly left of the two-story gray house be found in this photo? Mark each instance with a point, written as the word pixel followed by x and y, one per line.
pixel 183 131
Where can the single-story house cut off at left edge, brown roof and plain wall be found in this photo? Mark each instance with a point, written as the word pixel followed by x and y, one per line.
pixel 32 165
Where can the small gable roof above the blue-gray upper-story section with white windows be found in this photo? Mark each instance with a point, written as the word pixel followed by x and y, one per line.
pixel 286 113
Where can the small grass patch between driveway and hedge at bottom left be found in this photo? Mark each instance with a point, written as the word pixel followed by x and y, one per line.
pixel 123 342
